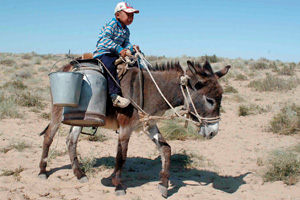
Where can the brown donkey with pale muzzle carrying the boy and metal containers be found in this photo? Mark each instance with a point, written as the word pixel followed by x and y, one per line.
pixel 205 93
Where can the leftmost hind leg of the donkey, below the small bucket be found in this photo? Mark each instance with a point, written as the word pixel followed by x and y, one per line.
pixel 49 134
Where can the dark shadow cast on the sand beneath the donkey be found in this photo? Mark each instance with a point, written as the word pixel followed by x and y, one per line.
pixel 139 171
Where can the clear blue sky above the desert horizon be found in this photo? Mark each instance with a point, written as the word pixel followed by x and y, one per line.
pixel 247 29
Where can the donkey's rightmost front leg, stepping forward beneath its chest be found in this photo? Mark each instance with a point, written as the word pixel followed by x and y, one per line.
pixel 165 151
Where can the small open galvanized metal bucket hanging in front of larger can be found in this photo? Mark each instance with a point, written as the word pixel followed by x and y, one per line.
pixel 66 88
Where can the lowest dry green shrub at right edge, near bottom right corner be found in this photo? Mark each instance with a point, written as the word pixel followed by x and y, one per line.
pixel 283 166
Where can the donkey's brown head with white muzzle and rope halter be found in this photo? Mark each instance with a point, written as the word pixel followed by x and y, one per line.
pixel 206 94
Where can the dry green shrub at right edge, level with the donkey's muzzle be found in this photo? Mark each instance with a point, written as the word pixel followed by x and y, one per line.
pixel 287 121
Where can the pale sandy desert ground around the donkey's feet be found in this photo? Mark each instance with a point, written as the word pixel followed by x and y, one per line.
pixel 229 168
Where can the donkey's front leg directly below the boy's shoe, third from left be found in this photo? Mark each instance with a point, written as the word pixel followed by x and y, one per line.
pixel 123 141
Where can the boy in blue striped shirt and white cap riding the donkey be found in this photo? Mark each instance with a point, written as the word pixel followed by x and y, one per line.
pixel 114 42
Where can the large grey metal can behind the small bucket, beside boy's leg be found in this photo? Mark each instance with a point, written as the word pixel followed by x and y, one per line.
pixel 92 105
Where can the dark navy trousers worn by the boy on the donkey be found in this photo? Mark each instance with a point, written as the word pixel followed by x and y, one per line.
pixel 108 60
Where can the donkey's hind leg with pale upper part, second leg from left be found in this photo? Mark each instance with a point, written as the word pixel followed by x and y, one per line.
pixel 72 144
